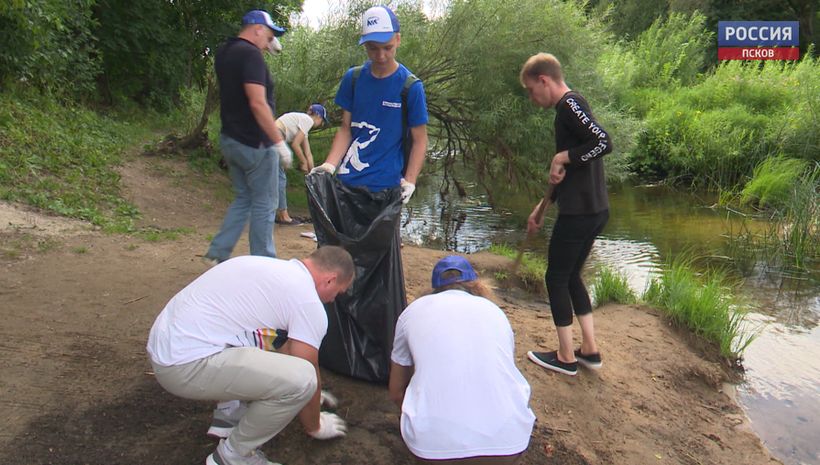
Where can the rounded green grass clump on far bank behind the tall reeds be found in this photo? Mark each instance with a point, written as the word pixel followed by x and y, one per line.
pixel 773 180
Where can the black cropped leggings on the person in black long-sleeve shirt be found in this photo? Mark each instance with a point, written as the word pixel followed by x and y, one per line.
pixel 571 241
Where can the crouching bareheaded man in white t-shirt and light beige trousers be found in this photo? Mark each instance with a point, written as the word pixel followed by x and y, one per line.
pixel 213 339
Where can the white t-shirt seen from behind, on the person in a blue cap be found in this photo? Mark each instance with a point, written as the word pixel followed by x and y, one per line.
pixel 466 397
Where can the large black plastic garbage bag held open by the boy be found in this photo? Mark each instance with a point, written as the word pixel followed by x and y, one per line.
pixel 361 322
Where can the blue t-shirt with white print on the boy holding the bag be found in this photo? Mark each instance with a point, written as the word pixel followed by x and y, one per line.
pixel 374 158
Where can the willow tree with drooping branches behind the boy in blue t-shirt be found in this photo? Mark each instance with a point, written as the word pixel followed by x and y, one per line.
pixel 469 58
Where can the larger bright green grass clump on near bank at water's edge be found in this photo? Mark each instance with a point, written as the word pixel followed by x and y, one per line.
pixel 705 304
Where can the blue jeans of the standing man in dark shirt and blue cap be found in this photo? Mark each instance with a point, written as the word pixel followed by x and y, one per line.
pixel 252 171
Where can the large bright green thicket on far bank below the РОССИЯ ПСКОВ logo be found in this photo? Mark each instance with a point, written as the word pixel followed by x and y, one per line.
pixel 714 133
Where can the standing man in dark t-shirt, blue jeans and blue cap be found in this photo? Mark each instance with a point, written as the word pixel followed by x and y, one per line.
pixel 250 142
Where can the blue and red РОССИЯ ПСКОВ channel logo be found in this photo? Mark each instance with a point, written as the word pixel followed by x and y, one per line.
pixel 758 40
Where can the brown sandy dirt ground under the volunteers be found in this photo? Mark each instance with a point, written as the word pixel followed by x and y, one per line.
pixel 76 387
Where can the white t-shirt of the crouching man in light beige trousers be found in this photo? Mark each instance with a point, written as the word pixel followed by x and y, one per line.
pixel 239 303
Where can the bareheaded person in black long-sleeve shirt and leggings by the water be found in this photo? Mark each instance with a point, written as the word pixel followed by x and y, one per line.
pixel 577 174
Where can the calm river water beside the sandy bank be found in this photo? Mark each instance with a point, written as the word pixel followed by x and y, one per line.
pixel 781 391
